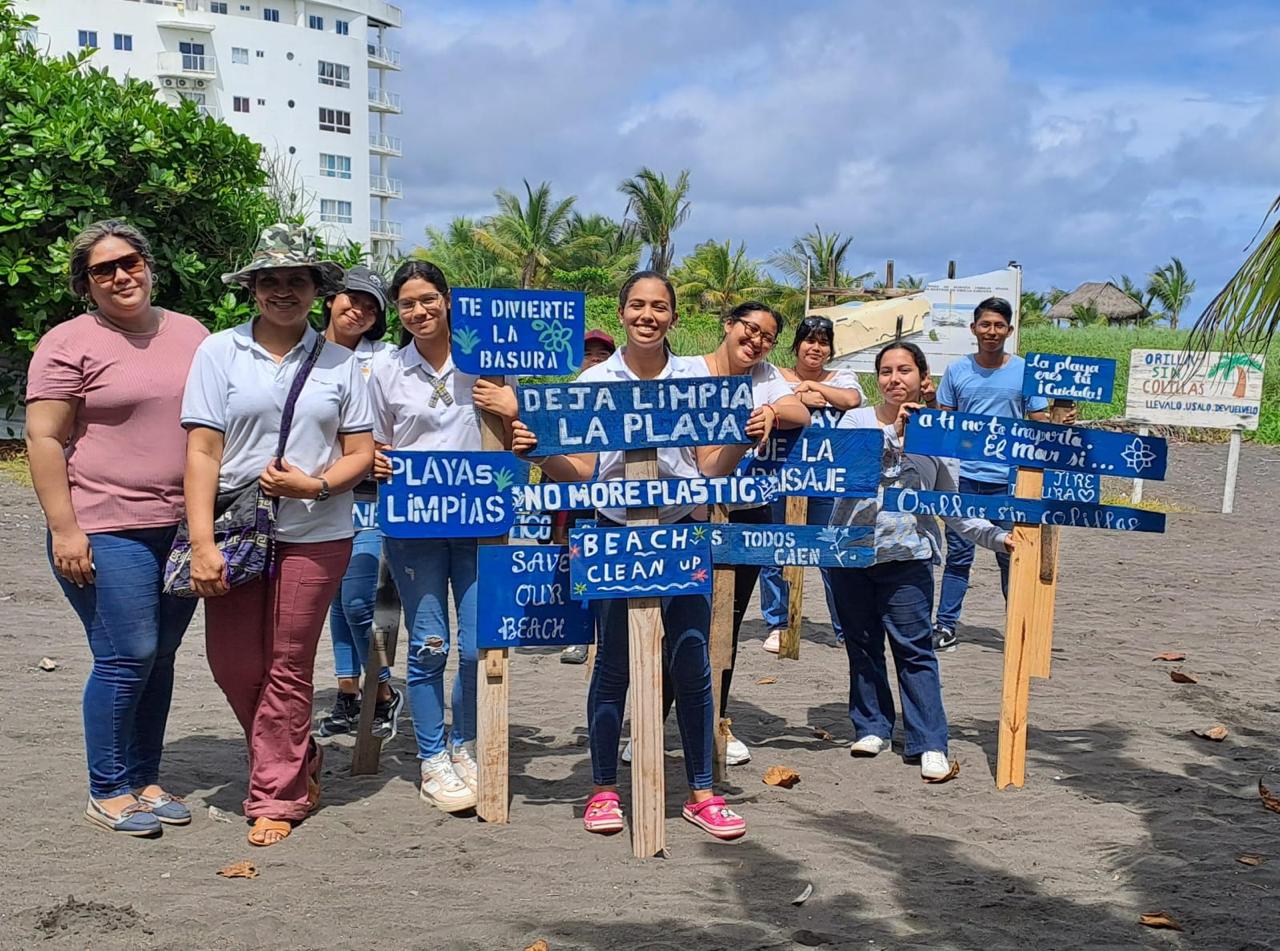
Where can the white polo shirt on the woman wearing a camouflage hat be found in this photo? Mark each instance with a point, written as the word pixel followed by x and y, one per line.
pixel 237 388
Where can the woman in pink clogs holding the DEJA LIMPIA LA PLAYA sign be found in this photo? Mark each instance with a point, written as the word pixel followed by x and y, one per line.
pixel 647 309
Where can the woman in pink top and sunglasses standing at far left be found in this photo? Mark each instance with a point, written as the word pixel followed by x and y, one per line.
pixel 107 451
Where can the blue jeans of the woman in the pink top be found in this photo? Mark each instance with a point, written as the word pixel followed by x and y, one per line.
pixel 134 633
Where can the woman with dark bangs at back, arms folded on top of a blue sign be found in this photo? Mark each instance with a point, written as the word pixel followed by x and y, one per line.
pixel 826 394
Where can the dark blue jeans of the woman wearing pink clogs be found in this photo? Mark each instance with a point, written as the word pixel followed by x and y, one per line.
pixel 687 665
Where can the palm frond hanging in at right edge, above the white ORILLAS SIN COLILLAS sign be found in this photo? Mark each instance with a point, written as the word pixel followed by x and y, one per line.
pixel 1249 308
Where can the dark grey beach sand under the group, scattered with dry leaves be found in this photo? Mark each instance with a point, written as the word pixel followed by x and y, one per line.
pixel 1124 812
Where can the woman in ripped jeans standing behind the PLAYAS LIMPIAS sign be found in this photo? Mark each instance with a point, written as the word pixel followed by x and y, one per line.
pixel 422 403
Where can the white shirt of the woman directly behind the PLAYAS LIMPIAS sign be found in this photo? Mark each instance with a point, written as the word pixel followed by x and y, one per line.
pixel 415 408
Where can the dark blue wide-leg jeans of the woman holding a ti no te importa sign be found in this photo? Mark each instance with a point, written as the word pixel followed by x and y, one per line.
pixel 892 600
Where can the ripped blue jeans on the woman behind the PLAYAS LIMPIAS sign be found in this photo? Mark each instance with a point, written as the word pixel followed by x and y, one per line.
pixel 424 570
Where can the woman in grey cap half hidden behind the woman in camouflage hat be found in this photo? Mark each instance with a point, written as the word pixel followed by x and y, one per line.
pixel 356 318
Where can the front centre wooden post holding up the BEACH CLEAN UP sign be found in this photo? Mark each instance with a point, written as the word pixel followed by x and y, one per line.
pixel 644 638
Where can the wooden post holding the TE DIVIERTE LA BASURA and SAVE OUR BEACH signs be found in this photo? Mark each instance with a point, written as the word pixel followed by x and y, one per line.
pixel 493 685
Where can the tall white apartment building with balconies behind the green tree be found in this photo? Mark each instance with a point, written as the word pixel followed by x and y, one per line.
pixel 305 79
